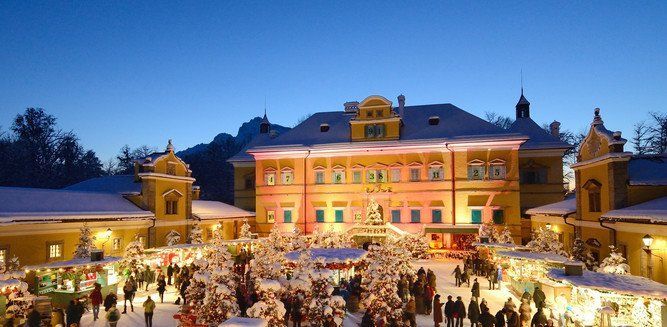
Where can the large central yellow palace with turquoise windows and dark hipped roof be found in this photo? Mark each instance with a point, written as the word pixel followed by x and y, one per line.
pixel 431 168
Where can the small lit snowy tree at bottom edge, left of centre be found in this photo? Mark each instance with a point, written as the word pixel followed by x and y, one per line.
pixel 269 307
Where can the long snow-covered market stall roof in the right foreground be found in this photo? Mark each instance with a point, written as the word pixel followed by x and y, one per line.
pixel 622 284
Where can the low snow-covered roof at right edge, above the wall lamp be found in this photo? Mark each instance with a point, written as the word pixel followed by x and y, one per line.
pixel 654 211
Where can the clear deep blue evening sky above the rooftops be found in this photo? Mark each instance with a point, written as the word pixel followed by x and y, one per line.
pixel 139 73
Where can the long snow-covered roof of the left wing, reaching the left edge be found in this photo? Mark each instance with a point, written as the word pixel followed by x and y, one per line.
pixel 44 205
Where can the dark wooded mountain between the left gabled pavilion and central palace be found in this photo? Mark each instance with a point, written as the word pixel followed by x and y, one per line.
pixel 208 161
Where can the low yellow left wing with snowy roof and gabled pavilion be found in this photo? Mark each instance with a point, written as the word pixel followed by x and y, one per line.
pixel 42 225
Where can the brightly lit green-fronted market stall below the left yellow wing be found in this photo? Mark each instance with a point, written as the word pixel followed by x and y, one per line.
pixel 63 281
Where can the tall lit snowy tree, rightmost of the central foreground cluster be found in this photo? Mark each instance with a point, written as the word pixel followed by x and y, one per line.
pixel 380 280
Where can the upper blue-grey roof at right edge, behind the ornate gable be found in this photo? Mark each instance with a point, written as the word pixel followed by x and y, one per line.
pixel 648 170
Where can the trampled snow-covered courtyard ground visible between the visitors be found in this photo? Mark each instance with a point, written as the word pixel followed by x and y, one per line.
pixel 164 312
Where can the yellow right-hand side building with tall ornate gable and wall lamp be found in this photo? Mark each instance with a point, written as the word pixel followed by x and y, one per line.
pixel 621 200
